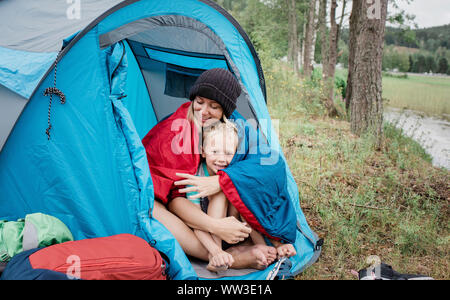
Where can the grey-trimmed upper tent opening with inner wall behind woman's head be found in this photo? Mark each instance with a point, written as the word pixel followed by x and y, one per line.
pixel 171 52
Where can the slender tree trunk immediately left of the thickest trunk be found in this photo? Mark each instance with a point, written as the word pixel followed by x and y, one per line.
pixel 330 68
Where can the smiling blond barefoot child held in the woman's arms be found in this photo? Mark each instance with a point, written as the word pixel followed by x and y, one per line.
pixel 220 142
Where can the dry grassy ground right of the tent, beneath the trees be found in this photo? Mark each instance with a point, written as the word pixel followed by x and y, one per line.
pixel 390 203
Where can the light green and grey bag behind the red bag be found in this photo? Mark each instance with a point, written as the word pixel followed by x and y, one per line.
pixel 36 230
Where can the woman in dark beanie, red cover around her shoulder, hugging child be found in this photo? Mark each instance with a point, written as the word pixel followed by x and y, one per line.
pixel 173 153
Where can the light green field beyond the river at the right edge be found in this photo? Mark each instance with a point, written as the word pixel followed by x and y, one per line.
pixel 418 92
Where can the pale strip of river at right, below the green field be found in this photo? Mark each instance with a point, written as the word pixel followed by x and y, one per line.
pixel 432 133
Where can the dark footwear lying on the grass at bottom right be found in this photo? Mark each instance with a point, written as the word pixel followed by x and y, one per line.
pixel 384 271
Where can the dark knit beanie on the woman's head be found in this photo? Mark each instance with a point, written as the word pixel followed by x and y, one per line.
pixel 218 85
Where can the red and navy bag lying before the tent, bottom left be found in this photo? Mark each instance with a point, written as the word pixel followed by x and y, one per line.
pixel 119 257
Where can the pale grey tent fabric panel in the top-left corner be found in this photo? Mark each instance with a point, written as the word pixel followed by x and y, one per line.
pixel 41 26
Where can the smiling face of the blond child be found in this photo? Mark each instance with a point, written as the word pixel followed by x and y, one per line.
pixel 218 152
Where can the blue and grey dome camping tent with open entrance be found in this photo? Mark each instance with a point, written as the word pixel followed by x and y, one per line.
pixel 122 66
